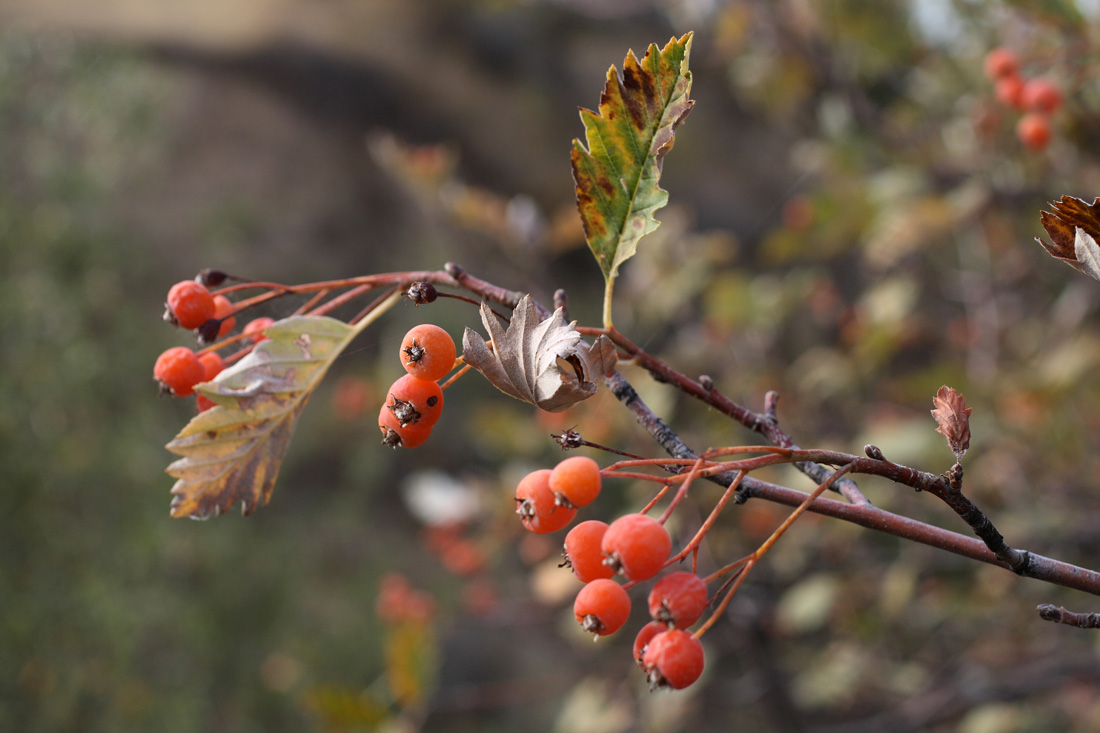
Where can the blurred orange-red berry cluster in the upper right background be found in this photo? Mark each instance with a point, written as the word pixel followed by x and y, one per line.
pixel 1038 99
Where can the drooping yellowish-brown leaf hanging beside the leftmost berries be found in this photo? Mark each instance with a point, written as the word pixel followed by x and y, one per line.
pixel 235 451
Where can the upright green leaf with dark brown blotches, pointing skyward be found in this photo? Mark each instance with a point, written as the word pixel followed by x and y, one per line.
pixel 618 174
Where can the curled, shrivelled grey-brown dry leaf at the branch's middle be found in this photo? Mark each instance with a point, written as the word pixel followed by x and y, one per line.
pixel 526 359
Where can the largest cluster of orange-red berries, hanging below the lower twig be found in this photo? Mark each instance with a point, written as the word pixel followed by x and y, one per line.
pixel 635 546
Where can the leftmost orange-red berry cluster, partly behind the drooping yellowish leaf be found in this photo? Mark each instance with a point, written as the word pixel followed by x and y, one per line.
pixel 191 305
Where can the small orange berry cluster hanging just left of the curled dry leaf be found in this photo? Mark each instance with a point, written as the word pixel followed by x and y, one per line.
pixel 416 401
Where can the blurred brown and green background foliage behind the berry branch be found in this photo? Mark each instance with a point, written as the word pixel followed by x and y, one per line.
pixel 851 224
